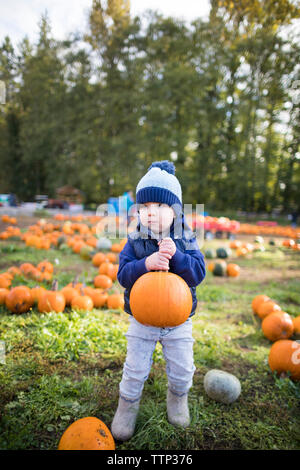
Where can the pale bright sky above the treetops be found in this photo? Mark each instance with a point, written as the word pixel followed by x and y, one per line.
pixel 21 17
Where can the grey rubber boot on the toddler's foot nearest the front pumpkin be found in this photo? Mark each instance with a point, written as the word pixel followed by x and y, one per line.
pixel 123 424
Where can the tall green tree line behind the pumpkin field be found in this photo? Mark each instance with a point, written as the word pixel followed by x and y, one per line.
pixel 219 97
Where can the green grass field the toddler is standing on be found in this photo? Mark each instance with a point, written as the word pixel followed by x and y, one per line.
pixel 61 367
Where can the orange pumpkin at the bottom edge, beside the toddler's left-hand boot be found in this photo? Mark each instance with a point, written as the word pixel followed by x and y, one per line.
pixel 87 434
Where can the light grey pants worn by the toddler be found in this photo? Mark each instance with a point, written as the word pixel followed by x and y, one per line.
pixel 177 345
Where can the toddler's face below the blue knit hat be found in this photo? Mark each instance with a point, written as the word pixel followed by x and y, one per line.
pixel 158 217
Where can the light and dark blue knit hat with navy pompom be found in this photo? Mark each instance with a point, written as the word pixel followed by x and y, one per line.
pixel 159 184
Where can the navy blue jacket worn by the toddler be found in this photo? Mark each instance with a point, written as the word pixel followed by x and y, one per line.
pixel 188 261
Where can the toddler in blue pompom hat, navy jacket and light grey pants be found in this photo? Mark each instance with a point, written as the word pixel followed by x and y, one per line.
pixel 162 241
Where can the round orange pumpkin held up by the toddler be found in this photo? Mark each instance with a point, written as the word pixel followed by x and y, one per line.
pixel 161 299
